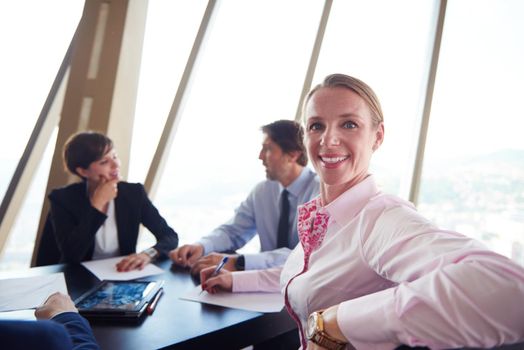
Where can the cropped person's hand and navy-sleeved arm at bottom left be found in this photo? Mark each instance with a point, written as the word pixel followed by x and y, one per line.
pixel 66 329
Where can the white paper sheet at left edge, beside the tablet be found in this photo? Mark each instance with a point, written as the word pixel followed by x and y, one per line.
pixel 29 292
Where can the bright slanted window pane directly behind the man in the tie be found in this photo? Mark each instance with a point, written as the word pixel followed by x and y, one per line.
pixel 251 72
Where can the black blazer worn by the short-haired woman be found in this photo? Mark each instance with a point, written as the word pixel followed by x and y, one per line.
pixel 75 222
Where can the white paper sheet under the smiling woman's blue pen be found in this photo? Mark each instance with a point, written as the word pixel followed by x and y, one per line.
pixel 259 302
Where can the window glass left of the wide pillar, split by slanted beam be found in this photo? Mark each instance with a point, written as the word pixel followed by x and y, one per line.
pixel 35 36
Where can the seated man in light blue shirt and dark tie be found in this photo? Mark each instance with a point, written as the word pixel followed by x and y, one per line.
pixel 269 210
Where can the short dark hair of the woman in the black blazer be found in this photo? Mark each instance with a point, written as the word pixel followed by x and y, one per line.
pixel 84 148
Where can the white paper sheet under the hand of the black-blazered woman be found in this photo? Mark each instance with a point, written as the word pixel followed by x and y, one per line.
pixel 105 269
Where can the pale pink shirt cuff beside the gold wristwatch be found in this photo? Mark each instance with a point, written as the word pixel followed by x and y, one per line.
pixel 370 319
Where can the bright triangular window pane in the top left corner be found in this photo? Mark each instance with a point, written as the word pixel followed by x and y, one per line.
pixel 35 36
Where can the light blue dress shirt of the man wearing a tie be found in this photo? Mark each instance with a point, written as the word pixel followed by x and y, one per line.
pixel 259 213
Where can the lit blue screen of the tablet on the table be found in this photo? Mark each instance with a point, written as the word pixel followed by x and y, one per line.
pixel 117 295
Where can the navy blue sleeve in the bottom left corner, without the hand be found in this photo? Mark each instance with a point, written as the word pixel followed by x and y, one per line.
pixel 64 332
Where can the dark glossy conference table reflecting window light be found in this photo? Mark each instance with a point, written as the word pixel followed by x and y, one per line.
pixel 175 323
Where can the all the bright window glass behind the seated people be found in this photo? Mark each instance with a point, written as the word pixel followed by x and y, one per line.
pixel 250 72
